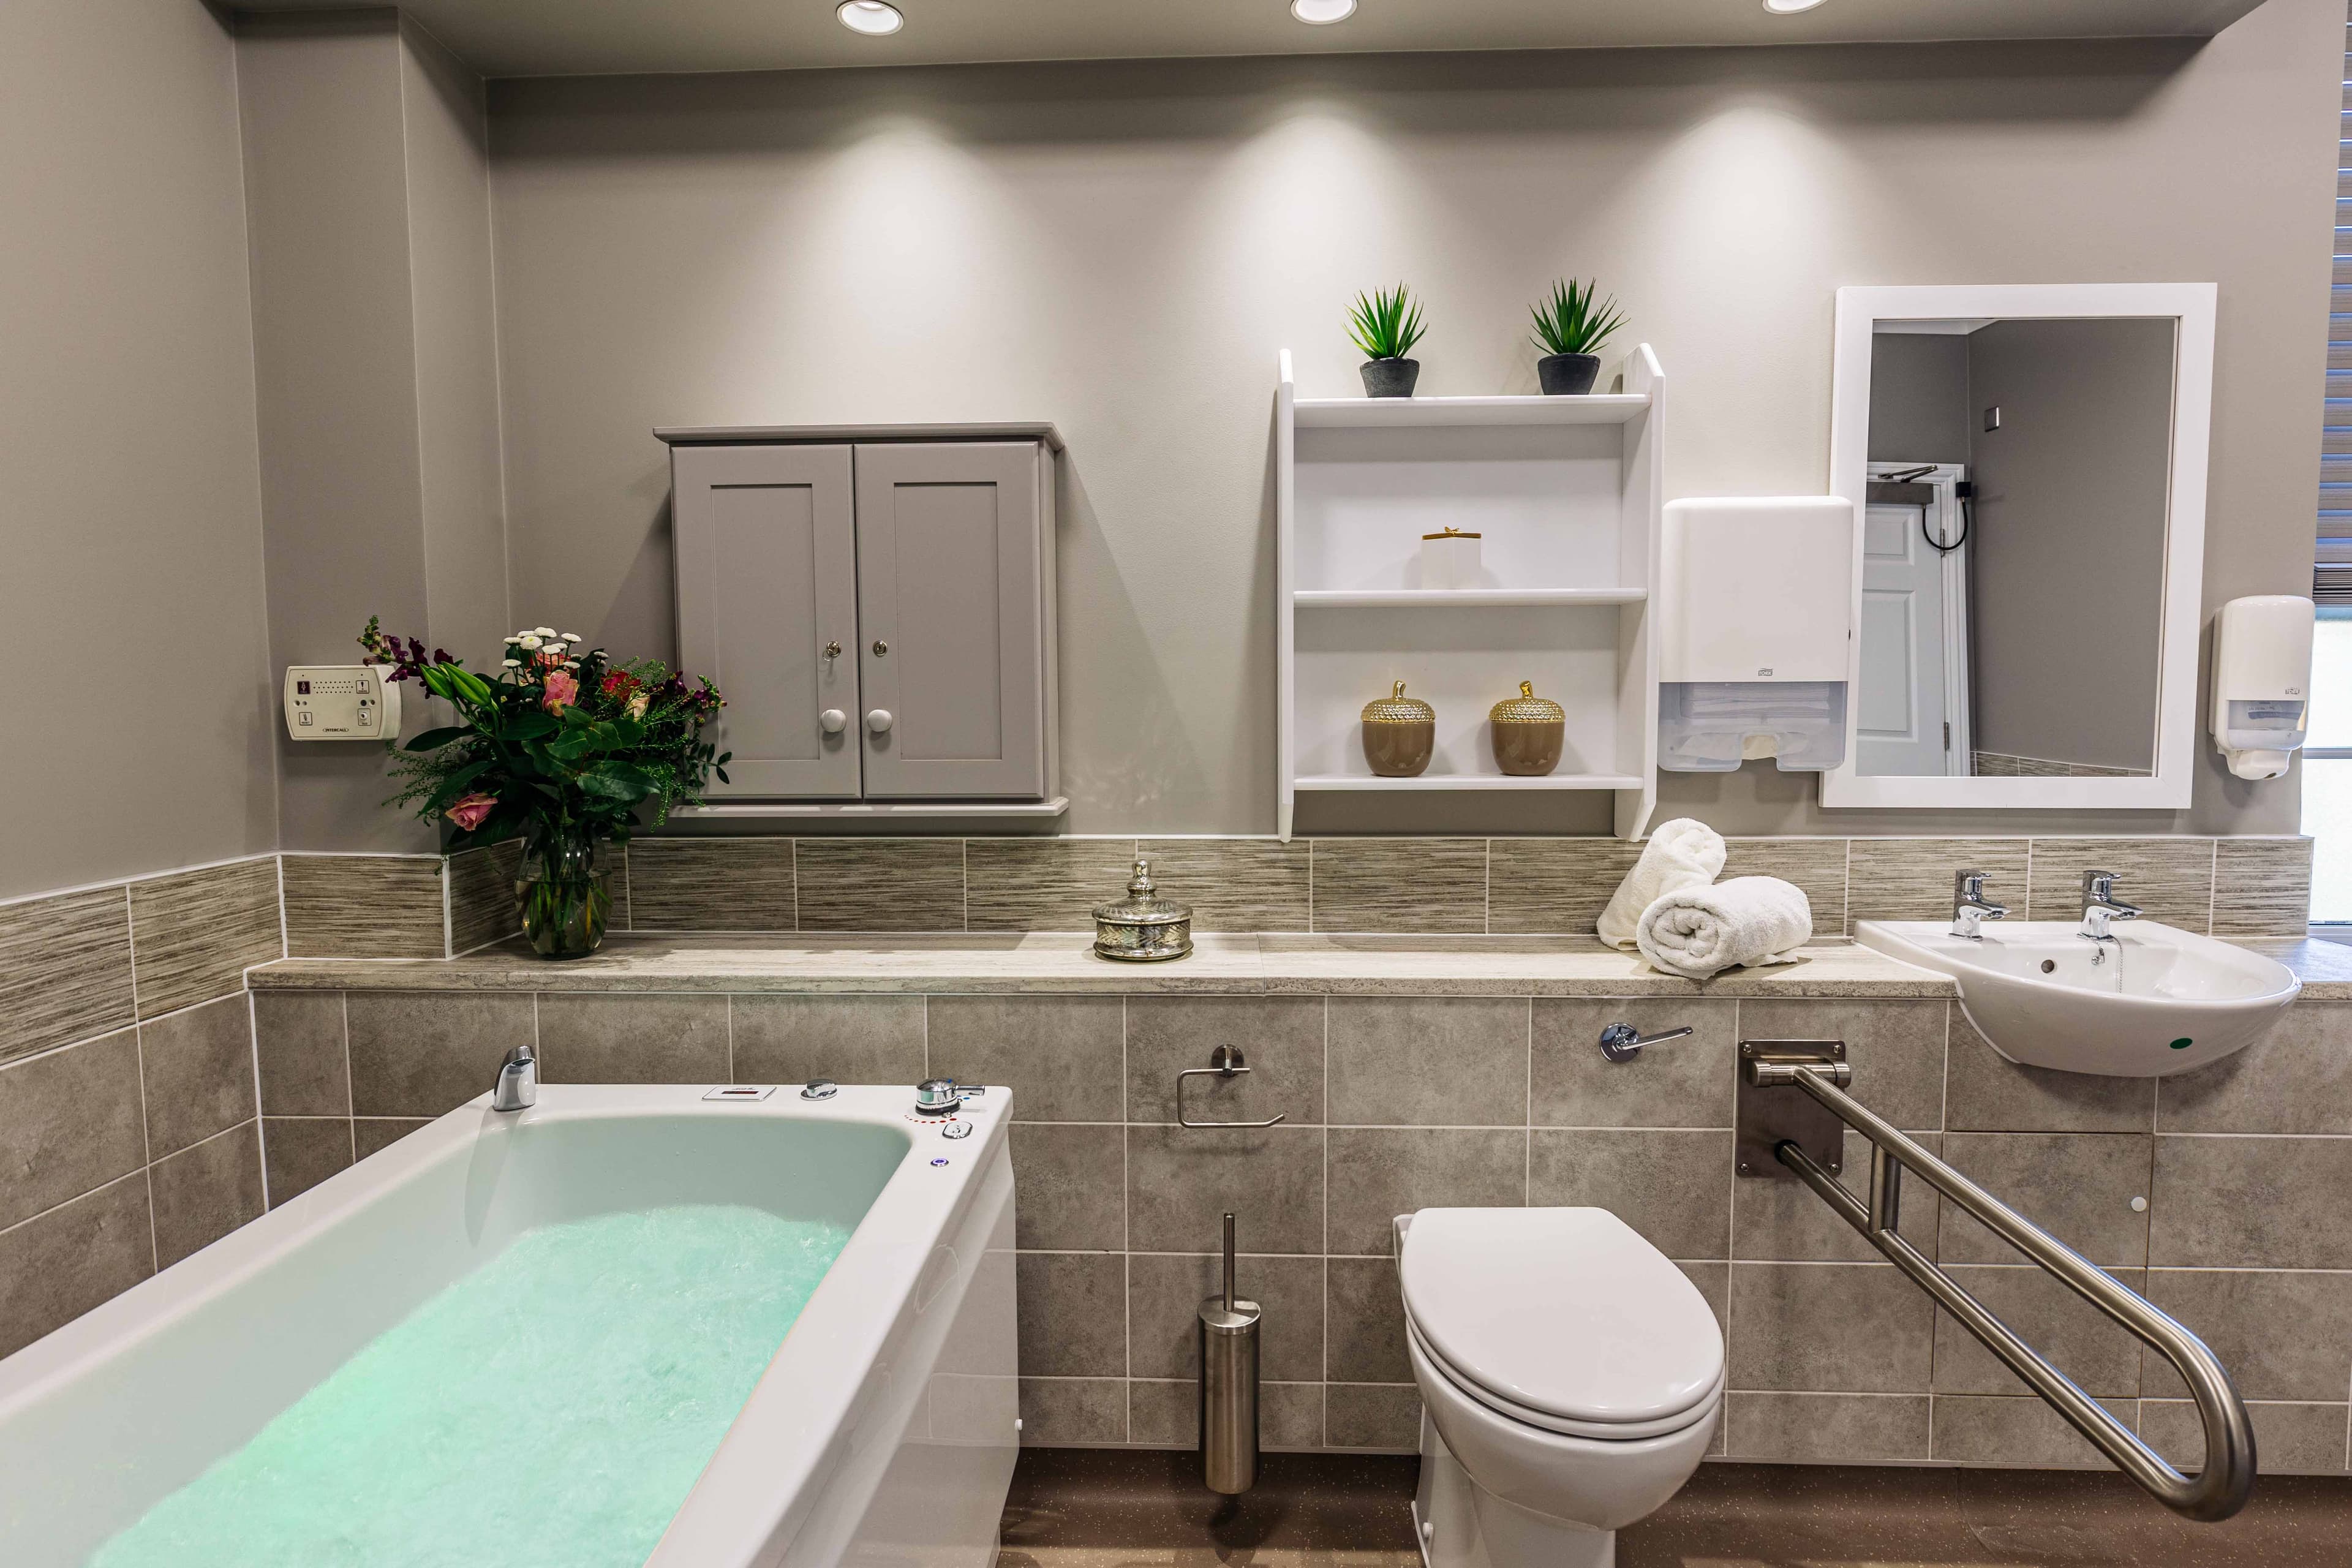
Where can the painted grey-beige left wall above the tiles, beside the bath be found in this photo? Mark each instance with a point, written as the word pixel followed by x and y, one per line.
pixel 135 711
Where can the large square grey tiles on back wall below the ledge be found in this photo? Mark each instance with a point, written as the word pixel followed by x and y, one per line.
pixel 1401 1104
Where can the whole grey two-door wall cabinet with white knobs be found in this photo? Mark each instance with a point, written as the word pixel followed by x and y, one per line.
pixel 878 612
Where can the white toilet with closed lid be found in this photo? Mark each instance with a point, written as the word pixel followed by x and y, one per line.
pixel 1570 1376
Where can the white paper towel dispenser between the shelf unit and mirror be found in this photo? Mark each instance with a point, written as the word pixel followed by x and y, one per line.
pixel 1756 598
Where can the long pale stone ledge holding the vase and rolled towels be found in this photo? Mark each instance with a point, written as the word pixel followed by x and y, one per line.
pixel 1064 963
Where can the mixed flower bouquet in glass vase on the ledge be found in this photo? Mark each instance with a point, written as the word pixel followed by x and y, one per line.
pixel 559 749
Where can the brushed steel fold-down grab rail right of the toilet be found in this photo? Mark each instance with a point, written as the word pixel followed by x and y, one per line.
pixel 2226 1480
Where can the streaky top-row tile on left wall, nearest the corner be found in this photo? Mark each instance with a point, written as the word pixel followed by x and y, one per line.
pixel 196 932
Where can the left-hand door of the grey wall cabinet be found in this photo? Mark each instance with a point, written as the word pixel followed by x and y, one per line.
pixel 766 587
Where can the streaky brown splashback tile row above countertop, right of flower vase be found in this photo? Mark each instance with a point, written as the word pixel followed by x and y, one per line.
pixel 2229 887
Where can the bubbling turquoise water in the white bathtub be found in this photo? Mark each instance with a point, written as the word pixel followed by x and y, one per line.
pixel 547 1412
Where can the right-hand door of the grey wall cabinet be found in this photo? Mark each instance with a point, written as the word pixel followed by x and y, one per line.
pixel 951 619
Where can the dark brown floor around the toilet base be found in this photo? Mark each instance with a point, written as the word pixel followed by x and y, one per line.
pixel 1147 1510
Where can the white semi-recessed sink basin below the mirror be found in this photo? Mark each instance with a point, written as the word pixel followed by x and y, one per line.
pixel 2149 1005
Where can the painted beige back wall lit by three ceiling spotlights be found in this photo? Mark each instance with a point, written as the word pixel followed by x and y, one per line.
pixel 1123 248
